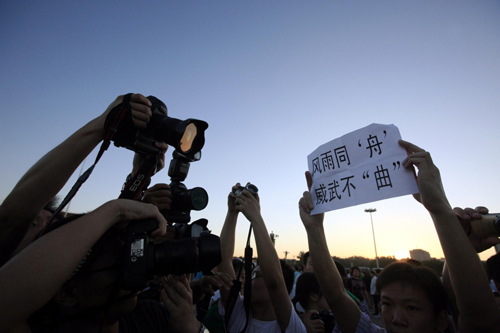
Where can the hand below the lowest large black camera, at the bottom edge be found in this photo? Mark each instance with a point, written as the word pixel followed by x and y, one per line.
pixel 178 299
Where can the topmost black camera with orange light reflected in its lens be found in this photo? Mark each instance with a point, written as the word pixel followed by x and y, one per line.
pixel 186 136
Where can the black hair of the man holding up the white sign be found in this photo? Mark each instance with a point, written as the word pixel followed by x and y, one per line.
pixel 420 277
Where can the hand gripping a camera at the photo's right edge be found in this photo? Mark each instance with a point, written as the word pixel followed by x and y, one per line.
pixel 468 215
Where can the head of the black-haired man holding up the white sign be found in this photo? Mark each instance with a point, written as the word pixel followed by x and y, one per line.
pixel 412 298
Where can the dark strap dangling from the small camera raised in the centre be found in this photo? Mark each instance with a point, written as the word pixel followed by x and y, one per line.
pixel 235 289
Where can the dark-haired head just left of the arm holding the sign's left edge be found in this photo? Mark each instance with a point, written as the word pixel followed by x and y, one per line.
pixel 308 293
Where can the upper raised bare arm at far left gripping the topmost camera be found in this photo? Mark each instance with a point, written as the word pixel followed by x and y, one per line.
pixel 46 178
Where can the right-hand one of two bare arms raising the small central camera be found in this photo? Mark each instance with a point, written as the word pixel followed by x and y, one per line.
pixel 268 259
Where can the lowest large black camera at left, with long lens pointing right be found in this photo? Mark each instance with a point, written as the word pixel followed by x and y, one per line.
pixel 185 254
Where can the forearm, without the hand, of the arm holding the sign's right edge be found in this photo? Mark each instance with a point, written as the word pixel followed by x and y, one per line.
pixel 475 300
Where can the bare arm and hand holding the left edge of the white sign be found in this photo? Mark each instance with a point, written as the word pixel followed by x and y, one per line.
pixel 345 310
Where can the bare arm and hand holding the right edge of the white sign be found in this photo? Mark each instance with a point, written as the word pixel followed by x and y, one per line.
pixel 475 301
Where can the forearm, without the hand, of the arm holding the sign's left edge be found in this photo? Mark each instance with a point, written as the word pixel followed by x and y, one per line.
pixel 330 281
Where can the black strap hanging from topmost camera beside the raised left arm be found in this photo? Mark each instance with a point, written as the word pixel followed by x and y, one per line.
pixel 113 120
